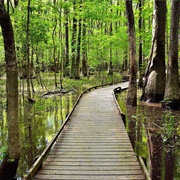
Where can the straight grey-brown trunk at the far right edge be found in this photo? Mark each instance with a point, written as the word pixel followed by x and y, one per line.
pixel 172 83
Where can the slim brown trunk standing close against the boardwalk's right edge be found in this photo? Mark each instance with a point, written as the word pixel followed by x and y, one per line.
pixel 132 92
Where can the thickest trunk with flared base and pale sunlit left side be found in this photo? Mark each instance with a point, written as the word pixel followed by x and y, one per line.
pixel 154 88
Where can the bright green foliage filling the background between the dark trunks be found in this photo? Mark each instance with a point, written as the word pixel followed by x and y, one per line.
pixel 97 15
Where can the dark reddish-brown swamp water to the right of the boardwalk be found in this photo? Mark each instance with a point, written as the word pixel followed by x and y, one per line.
pixel 154 134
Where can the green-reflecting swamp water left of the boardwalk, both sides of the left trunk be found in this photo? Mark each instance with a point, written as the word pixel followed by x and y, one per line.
pixel 39 122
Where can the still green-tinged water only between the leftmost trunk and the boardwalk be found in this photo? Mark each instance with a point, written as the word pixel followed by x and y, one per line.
pixel 39 123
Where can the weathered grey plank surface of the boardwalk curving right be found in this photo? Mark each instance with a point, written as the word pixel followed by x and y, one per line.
pixel 94 143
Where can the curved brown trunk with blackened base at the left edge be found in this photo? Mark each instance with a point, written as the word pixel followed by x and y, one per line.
pixel 10 163
